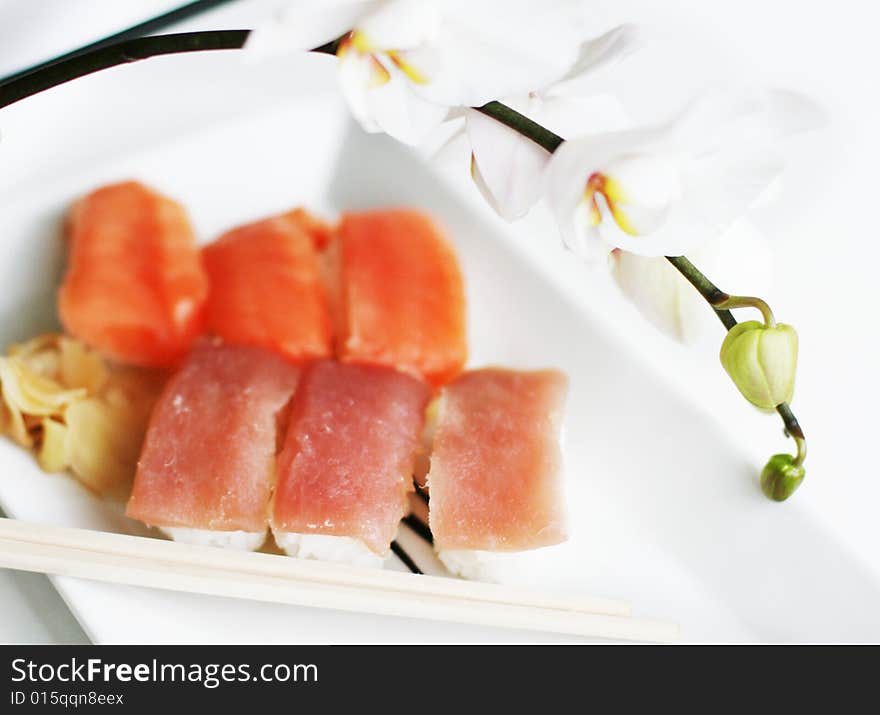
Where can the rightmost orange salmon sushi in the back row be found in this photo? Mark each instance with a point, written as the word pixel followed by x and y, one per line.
pixel 399 294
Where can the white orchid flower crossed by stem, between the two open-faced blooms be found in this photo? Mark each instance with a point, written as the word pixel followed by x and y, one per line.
pixel 507 167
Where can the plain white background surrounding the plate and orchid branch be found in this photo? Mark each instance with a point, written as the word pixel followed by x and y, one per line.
pixel 825 235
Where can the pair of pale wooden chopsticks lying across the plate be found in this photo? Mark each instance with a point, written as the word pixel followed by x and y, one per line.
pixel 154 563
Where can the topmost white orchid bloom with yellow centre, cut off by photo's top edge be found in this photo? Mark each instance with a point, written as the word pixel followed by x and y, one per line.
pixel 404 63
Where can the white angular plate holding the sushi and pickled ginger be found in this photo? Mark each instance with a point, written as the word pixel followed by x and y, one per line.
pixel 665 508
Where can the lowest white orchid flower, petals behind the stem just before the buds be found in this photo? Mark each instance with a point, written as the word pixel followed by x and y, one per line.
pixel 738 257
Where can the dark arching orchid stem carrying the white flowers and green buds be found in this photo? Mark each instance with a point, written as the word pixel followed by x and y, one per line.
pixel 103 56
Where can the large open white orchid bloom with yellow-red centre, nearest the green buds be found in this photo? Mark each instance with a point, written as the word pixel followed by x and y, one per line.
pixel 665 190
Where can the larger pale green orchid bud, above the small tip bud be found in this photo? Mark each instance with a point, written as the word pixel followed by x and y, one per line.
pixel 761 360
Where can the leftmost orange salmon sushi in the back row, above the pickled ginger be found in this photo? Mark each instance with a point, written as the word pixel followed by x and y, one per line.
pixel 134 287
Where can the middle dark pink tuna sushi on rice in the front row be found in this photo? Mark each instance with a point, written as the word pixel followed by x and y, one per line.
pixel 345 464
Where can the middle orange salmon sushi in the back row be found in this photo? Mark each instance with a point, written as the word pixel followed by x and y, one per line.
pixel 267 287
